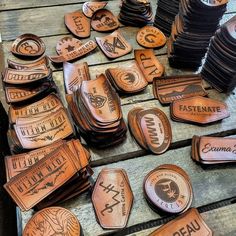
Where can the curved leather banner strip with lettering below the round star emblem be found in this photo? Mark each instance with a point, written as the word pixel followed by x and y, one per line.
pixel 78 52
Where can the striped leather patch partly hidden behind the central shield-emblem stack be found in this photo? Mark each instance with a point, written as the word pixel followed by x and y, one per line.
pixel 74 74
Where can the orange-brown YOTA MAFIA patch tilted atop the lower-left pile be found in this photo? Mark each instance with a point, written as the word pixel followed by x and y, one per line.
pixel 34 184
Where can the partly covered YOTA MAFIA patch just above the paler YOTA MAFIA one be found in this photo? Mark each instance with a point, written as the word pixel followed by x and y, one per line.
pixel 40 108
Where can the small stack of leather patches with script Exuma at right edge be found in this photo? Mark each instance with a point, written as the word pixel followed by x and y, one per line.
pixel 213 150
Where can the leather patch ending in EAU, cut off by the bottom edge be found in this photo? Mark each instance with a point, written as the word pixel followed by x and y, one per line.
pixel 189 223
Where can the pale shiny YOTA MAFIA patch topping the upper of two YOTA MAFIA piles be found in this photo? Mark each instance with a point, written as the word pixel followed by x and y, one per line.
pixel 44 131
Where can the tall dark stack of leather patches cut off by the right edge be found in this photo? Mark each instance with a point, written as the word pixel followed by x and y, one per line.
pixel 219 68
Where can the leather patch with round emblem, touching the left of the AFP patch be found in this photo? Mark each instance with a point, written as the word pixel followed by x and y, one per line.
pixel 127 79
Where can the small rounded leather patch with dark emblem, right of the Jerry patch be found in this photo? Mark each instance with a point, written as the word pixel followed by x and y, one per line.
pixel 103 20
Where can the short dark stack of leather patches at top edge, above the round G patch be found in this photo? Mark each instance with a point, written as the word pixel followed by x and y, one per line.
pixel 135 12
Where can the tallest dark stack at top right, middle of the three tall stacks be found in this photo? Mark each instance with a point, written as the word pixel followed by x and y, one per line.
pixel 191 31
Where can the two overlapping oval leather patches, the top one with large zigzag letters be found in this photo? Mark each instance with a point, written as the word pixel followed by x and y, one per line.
pixel 150 128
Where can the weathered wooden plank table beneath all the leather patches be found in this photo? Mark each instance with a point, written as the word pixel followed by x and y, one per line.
pixel 214 188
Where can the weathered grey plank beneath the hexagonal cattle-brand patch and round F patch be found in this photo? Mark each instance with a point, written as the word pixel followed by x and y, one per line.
pixel 209 185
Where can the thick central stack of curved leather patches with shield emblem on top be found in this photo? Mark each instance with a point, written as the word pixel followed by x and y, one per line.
pixel 95 108
